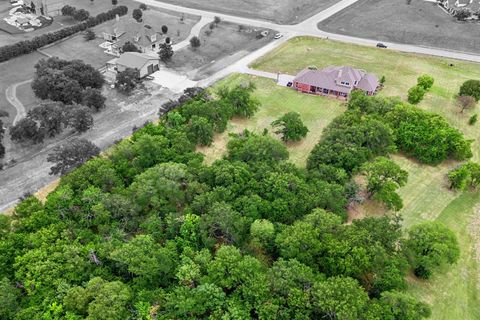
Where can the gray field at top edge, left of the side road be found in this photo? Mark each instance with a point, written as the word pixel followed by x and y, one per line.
pixel 279 11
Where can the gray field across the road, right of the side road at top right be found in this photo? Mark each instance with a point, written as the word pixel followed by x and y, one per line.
pixel 419 23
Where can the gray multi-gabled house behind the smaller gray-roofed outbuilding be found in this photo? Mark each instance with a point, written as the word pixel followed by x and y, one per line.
pixel 127 29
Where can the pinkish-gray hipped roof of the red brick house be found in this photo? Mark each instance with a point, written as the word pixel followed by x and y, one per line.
pixel 332 77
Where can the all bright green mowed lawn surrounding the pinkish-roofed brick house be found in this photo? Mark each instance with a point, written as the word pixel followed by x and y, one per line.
pixel 453 293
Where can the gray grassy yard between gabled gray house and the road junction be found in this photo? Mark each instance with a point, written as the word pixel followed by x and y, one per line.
pixel 224 46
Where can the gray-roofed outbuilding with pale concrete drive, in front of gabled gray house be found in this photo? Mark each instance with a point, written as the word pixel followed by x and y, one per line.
pixel 144 63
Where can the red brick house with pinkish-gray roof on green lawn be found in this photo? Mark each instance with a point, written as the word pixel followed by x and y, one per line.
pixel 335 81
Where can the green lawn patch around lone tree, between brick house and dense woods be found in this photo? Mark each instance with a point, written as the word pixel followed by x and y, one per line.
pixel 316 113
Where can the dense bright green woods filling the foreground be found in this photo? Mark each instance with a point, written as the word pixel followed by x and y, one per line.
pixel 149 231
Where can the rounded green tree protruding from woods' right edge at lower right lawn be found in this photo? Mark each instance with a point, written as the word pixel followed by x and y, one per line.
pixel 431 245
